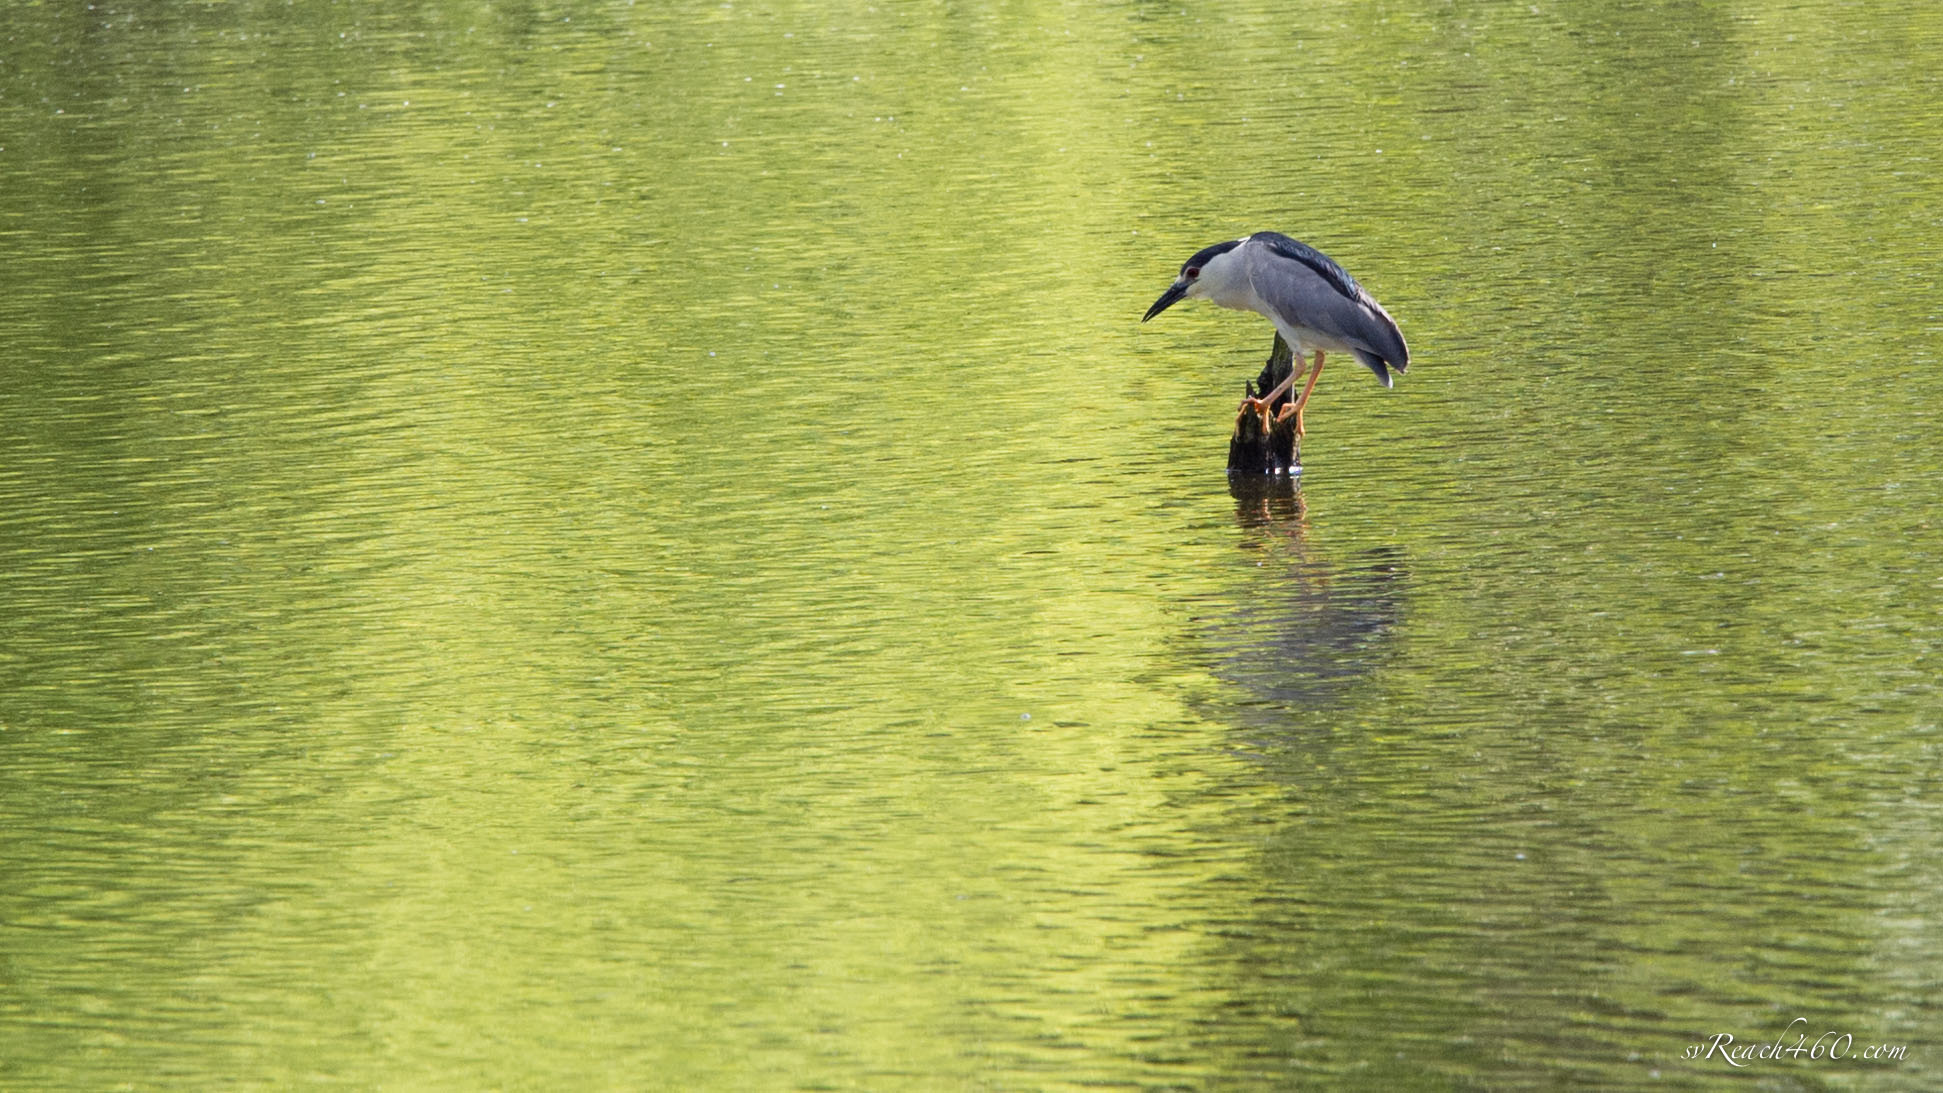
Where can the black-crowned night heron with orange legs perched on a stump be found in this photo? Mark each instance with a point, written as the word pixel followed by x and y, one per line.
pixel 1312 304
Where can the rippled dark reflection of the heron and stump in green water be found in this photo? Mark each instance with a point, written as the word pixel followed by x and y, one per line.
pixel 1312 624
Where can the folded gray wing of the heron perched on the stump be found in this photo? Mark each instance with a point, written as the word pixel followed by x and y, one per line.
pixel 1305 284
